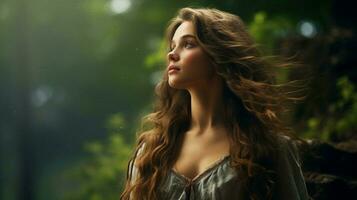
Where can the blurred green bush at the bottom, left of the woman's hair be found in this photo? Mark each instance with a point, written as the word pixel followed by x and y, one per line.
pixel 101 177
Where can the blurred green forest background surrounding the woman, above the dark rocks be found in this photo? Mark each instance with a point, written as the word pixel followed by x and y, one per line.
pixel 76 76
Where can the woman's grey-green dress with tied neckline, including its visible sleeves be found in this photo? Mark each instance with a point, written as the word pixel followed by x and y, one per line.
pixel 220 180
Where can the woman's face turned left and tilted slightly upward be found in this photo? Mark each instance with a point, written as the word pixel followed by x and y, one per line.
pixel 188 65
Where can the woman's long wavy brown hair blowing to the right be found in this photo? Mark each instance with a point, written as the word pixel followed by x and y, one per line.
pixel 254 104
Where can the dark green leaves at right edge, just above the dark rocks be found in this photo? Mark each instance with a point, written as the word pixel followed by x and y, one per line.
pixel 341 118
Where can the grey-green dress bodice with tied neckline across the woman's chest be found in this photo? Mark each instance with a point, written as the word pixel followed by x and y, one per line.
pixel 218 182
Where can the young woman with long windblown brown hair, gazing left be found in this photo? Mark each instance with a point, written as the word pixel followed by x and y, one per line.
pixel 215 132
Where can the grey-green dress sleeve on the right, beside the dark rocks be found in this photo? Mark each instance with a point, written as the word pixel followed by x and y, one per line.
pixel 290 180
